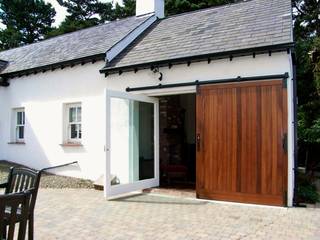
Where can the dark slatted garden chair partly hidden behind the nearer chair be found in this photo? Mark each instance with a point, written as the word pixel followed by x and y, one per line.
pixel 23 179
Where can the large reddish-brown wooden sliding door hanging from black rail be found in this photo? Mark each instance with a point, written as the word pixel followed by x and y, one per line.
pixel 241 142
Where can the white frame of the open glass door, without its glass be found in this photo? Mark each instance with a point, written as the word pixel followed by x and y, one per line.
pixel 112 191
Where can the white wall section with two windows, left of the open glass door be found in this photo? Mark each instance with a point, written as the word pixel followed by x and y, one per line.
pixel 43 96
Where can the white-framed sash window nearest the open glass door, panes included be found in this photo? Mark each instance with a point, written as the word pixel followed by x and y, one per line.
pixel 73 123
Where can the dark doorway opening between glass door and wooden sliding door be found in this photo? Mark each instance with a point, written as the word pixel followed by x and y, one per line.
pixel 177 128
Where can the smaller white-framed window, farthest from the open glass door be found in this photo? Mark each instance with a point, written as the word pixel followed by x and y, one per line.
pixel 19 121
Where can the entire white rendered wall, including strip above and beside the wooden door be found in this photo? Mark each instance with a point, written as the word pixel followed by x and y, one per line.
pixel 43 96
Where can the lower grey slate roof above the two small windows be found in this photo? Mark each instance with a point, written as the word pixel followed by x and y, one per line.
pixel 71 46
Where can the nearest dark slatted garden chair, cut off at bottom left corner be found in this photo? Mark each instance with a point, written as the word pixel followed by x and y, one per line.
pixel 14 210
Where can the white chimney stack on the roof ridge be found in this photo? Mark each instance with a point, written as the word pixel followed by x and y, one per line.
pixel 150 6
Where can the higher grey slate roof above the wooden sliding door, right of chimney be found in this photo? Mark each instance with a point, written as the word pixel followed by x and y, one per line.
pixel 248 24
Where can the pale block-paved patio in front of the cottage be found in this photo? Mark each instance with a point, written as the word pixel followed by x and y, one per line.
pixel 85 214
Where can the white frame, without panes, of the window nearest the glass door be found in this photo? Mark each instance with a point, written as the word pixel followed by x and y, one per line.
pixel 68 124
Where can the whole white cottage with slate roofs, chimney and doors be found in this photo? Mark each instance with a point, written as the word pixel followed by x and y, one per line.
pixel 204 98
